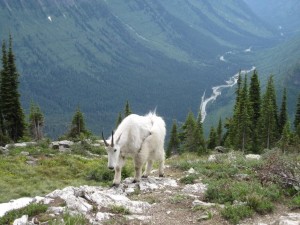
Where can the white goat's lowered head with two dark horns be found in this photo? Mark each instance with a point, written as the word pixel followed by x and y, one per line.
pixel 113 152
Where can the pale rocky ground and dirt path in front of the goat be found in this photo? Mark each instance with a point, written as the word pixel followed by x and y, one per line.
pixel 152 201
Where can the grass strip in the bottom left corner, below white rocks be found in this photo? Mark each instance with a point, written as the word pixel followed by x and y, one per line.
pixel 30 210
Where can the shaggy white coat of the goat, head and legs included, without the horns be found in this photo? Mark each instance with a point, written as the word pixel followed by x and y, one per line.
pixel 139 137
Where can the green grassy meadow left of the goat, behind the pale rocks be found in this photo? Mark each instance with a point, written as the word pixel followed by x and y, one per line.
pixel 19 179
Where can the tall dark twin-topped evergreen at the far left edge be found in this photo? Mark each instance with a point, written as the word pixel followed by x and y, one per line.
pixel 12 112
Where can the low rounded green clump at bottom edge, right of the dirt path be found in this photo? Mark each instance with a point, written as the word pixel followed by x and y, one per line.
pixel 235 213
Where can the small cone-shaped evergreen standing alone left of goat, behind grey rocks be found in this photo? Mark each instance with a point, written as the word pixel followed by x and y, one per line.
pixel 78 126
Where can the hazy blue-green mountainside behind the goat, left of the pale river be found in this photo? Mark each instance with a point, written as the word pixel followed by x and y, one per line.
pixel 98 54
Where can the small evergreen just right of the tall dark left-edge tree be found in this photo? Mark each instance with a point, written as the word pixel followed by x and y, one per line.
pixel 36 122
